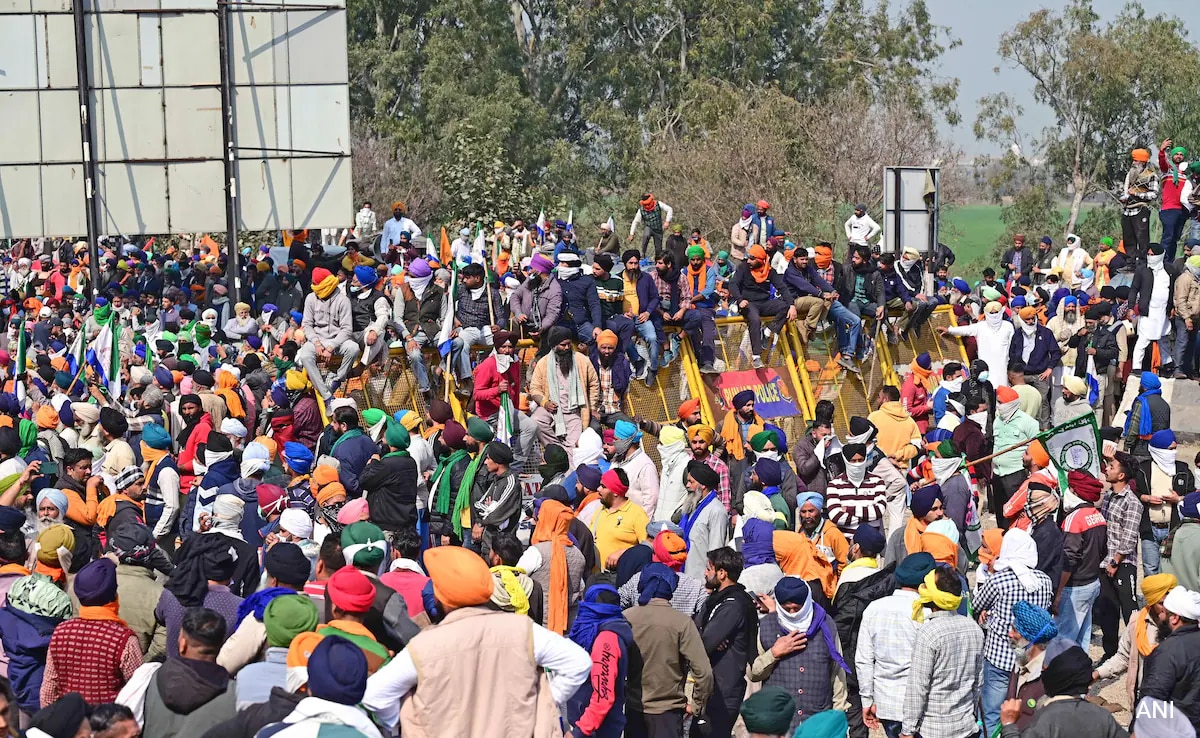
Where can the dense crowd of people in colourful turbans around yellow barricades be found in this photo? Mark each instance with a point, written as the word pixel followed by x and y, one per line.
pixel 203 535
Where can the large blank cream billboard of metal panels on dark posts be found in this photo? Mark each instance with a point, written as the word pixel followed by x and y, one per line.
pixel 157 117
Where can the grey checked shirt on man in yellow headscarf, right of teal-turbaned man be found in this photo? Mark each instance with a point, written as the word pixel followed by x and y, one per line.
pixel 945 679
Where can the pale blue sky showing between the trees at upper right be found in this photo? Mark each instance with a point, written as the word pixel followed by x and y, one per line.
pixel 980 23
